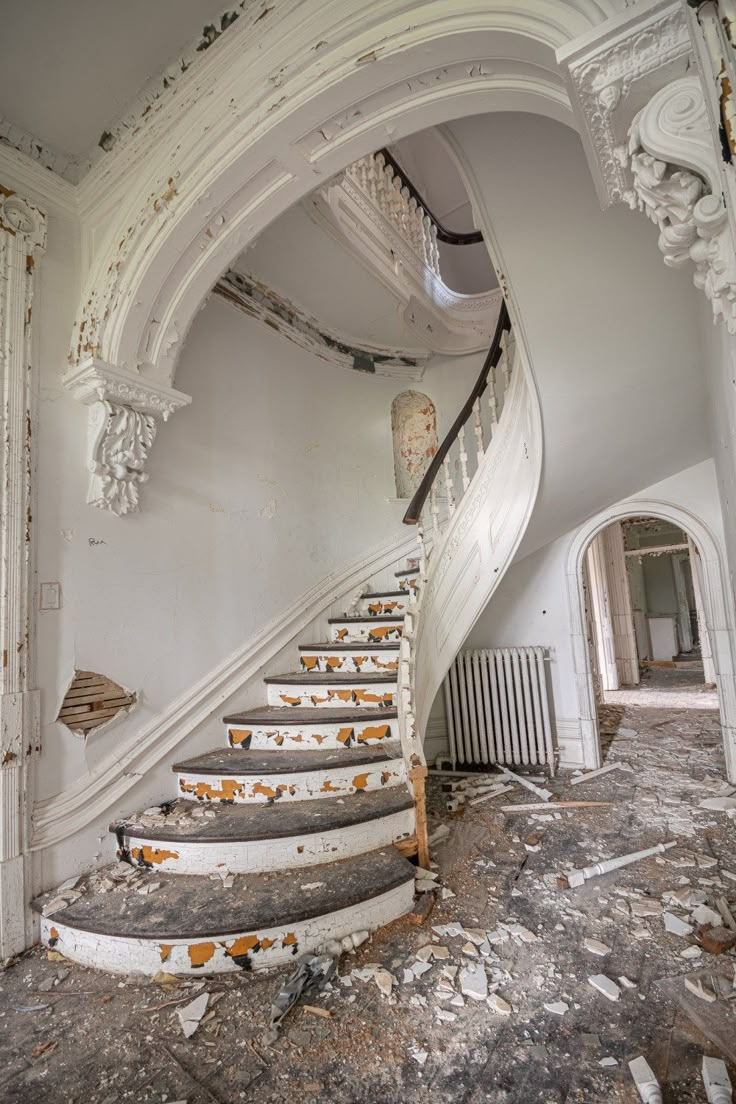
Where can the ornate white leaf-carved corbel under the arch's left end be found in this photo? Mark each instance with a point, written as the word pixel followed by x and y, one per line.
pixel 124 408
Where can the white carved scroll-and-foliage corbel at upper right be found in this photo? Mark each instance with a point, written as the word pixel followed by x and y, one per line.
pixel 676 183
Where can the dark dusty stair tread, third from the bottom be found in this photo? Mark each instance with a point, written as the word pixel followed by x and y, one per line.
pixel 238 762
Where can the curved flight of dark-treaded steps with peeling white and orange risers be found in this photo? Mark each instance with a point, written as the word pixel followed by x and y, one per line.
pixel 276 843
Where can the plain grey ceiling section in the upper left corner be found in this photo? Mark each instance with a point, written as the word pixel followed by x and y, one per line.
pixel 69 69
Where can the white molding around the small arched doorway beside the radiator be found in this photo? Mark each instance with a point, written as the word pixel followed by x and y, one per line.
pixel 718 604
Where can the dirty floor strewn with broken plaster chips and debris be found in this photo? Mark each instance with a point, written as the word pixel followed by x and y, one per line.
pixel 102 1041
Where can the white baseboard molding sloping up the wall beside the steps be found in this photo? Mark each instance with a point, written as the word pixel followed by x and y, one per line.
pixel 92 795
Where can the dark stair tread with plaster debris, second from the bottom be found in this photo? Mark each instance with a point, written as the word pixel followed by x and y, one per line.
pixel 244 823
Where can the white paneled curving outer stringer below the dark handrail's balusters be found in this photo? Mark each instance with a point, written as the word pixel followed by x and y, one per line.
pixel 478 546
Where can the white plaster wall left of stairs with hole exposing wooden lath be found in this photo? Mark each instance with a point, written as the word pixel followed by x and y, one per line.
pixel 279 474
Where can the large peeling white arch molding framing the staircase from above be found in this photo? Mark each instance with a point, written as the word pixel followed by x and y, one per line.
pixel 261 123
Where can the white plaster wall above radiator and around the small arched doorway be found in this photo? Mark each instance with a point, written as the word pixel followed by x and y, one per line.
pixel 531 608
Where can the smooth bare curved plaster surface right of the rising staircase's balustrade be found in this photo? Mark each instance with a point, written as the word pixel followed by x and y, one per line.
pixel 612 332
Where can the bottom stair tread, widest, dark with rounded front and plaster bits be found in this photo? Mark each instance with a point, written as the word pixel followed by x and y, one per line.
pixel 187 907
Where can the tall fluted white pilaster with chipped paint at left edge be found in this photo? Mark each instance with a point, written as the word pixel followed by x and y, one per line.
pixel 23 243
